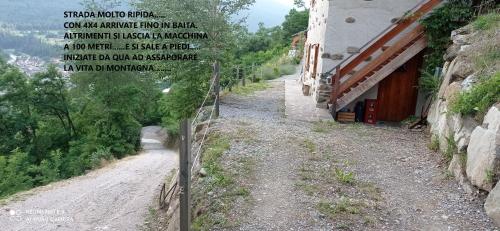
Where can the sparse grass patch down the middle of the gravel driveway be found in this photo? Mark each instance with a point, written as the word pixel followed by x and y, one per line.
pixel 340 197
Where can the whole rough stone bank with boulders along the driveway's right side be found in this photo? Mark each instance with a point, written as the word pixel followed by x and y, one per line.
pixel 475 144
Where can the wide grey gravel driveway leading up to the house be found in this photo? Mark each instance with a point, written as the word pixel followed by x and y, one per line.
pixel 324 175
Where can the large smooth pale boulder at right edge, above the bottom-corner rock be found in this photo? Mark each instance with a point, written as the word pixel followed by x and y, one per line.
pixel 483 153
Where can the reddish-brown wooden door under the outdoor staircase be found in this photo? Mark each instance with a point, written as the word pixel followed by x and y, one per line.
pixel 398 92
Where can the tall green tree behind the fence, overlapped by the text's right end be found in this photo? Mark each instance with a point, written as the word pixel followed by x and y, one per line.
pixel 191 79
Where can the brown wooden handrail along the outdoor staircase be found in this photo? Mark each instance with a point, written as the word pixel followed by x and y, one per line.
pixel 373 46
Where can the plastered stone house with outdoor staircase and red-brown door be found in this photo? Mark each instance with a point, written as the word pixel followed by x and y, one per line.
pixel 341 30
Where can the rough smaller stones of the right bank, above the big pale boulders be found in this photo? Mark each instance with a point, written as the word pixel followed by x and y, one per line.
pixel 458 76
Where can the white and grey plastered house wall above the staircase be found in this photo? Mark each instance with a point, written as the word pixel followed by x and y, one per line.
pixel 341 27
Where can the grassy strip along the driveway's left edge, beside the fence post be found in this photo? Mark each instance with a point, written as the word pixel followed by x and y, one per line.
pixel 215 195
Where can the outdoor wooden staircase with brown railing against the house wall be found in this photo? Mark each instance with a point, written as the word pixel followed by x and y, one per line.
pixel 348 85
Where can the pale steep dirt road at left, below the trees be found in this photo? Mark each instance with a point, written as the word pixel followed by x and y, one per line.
pixel 112 198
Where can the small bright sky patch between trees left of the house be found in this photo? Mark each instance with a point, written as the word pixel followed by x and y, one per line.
pixel 270 12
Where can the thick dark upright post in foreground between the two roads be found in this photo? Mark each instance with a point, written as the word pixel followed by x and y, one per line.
pixel 185 176
